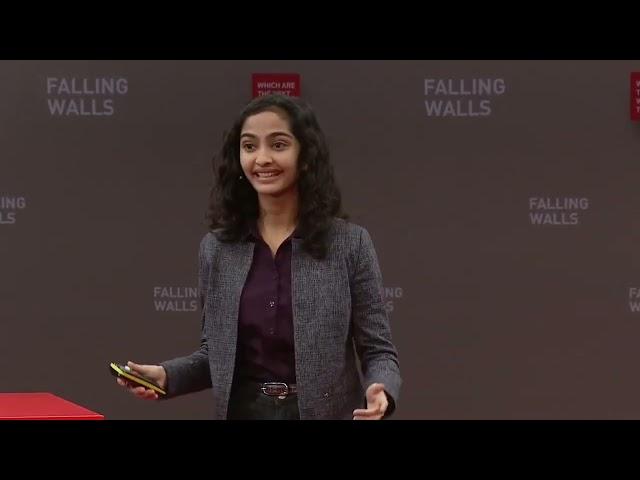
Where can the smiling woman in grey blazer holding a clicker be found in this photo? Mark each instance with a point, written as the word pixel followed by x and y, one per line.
pixel 290 291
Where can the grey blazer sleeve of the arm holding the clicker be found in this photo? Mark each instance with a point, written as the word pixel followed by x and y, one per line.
pixel 191 373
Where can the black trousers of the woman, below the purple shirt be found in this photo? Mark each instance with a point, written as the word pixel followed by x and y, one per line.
pixel 247 402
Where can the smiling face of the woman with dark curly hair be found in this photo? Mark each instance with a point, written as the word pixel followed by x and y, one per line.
pixel 269 153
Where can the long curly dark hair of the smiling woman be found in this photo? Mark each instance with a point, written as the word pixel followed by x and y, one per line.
pixel 233 202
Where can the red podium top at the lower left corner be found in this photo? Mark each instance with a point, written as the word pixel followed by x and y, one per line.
pixel 42 406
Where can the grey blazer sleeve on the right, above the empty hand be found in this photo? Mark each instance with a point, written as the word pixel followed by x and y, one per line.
pixel 371 328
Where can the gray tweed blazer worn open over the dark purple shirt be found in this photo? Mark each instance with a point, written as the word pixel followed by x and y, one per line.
pixel 338 314
